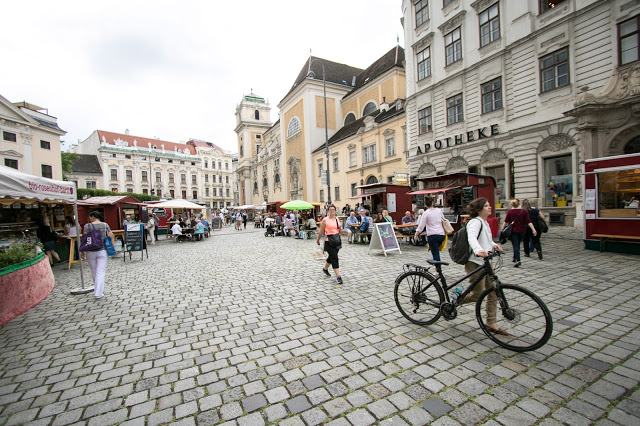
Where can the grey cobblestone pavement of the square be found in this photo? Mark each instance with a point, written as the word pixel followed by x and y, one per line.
pixel 245 329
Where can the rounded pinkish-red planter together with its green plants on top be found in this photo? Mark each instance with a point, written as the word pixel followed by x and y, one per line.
pixel 25 279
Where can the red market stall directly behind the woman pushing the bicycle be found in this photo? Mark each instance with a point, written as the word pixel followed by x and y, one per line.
pixel 452 193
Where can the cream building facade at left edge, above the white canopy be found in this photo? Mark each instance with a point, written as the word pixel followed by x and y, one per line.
pixel 30 139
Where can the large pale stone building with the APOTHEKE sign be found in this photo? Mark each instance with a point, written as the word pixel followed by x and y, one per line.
pixel 524 91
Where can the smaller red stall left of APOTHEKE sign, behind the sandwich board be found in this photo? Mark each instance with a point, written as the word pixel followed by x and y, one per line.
pixel 392 197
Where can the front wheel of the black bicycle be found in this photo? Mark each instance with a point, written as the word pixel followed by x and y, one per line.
pixel 521 313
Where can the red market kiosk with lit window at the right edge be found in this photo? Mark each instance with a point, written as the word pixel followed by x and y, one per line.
pixel 612 204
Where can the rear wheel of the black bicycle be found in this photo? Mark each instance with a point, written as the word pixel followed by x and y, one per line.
pixel 418 297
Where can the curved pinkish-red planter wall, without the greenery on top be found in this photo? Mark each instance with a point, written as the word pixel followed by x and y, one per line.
pixel 23 286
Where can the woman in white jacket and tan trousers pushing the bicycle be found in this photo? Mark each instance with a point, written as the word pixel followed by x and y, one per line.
pixel 481 242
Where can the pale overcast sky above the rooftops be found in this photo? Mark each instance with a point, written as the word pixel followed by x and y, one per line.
pixel 177 69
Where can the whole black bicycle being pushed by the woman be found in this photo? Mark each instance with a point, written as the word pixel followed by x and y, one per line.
pixel 422 298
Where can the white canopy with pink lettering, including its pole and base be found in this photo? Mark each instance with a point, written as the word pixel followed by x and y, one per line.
pixel 17 186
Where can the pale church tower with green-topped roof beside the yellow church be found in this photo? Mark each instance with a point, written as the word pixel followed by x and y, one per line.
pixel 252 120
